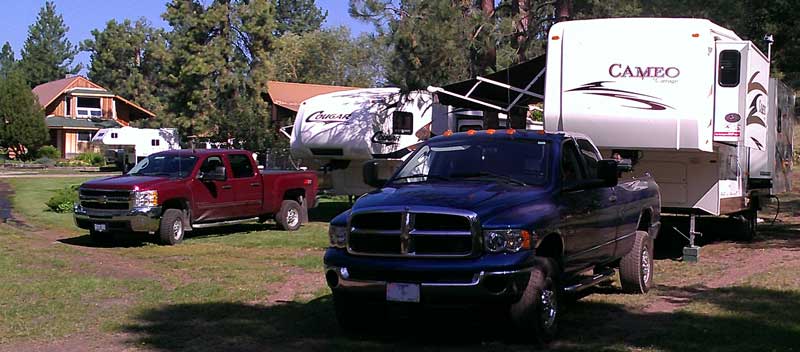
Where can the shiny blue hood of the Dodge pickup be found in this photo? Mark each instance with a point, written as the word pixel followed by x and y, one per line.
pixel 487 200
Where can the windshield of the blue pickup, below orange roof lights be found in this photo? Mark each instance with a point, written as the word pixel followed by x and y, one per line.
pixel 521 162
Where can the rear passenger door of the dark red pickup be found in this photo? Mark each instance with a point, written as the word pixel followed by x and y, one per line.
pixel 247 186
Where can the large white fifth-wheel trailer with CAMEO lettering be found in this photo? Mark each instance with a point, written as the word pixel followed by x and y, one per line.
pixel 688 101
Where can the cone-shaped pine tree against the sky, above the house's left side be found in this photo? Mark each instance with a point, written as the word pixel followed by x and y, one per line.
pixel 47 54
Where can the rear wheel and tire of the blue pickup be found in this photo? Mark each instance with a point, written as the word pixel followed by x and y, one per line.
pixel 636 267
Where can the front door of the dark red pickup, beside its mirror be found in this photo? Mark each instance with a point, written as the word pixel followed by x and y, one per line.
pixel 213 199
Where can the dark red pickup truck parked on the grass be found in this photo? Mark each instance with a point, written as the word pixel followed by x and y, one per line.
pixel 175 191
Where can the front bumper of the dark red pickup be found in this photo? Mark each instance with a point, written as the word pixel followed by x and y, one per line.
pixel 134 220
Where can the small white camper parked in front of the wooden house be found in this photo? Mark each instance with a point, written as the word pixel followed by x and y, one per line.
pixel 125 146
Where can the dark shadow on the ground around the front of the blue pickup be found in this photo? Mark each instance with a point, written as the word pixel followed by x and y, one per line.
pixel 739 319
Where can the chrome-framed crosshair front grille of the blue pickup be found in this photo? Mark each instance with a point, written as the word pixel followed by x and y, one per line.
pixel 409 233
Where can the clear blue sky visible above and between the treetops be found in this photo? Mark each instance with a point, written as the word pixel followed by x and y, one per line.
pixel 84 15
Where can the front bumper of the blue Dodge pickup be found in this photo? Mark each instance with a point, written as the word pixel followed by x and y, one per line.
pixel 476 280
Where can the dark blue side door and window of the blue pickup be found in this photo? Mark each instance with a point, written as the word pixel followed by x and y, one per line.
pixel 587 212
